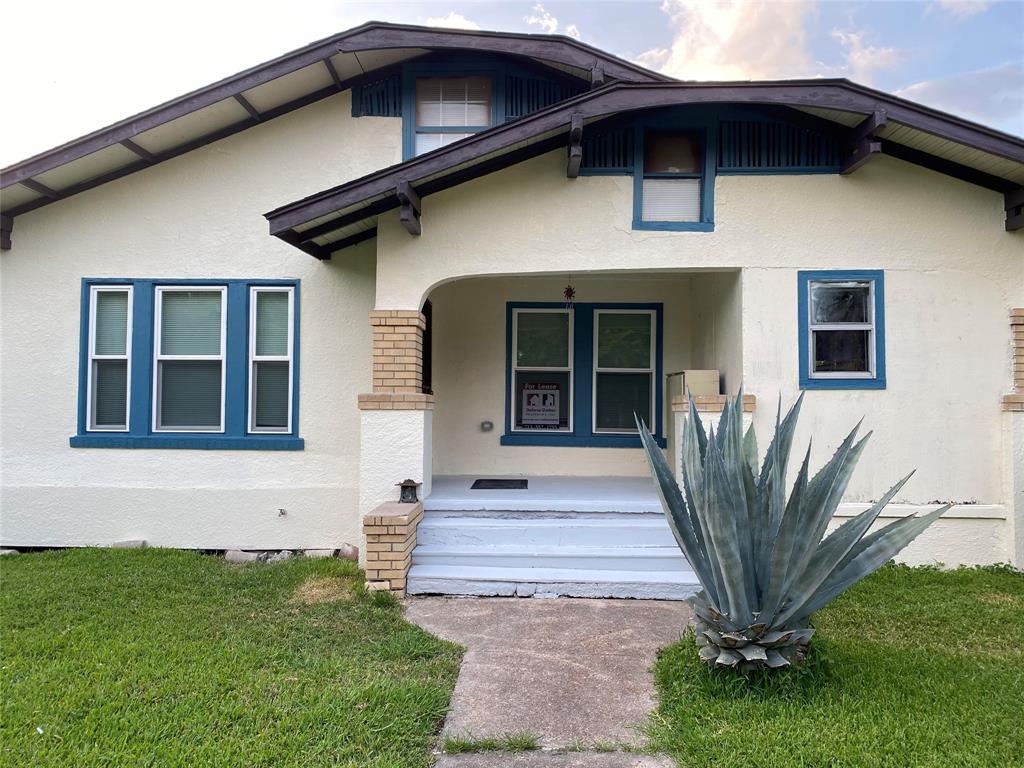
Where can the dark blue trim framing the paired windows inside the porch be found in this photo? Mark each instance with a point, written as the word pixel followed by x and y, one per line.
pixel 583 435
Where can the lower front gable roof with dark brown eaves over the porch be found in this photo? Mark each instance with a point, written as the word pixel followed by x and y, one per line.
pixel 336 219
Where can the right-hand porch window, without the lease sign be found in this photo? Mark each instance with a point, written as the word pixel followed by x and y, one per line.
pixel 624 369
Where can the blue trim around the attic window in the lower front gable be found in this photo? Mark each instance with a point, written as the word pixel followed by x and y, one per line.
pixel 703 123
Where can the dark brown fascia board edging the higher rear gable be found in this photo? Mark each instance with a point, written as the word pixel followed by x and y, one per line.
pixel 374 35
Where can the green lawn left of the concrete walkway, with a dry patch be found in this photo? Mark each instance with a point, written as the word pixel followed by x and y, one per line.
pixel 160 658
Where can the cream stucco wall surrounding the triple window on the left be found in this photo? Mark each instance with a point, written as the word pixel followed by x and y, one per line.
pixel 196 217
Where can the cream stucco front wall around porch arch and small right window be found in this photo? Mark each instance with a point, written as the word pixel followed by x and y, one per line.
pixel 952 275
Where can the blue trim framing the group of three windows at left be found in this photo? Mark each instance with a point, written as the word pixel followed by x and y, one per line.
pixel 141 434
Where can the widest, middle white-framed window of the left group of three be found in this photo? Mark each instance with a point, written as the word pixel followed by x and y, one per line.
pixel 189 394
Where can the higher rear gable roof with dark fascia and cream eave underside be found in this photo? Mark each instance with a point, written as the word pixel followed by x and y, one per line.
pixel 272 90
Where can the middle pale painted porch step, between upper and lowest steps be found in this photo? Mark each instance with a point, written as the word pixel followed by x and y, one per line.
pixel 611 559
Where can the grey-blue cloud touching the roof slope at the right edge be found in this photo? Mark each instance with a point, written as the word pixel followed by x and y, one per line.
pixel 994 96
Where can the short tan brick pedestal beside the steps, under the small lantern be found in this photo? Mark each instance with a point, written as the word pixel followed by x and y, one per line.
pixel 391 535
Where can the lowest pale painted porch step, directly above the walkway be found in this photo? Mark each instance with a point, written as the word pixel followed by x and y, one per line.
pixel 466 580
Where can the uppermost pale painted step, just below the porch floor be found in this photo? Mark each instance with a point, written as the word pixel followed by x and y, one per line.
pixel 590 531
